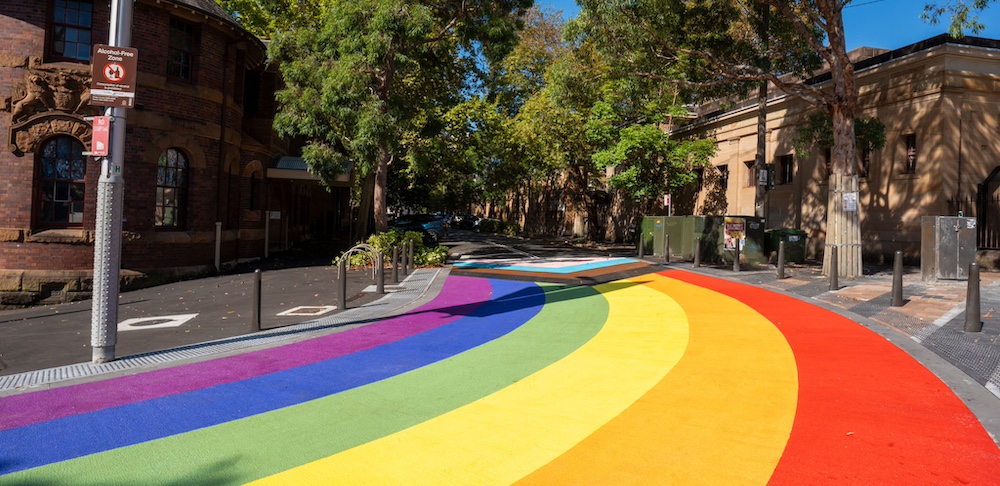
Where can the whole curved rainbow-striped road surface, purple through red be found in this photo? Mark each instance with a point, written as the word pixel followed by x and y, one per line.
pixel 668 378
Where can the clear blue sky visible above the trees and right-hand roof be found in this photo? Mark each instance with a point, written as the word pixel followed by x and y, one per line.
pixel 888 24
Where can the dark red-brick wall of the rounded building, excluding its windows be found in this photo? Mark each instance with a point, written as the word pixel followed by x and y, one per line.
pixel 202 117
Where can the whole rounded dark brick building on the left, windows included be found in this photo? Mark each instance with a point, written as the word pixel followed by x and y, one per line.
pixel 199 149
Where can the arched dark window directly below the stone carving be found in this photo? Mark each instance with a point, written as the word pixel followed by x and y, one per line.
pixel 62 171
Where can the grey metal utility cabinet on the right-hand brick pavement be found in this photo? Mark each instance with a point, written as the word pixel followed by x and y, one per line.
pixel 947 247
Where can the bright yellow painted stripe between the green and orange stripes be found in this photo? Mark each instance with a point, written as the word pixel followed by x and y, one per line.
pixel 505 436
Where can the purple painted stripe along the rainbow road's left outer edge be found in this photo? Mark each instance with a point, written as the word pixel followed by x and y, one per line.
pixel 459 296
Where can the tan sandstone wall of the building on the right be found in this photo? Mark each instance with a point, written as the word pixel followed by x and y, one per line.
pixel 947 95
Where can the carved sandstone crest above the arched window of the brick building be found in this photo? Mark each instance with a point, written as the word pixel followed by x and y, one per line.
pixel 52 100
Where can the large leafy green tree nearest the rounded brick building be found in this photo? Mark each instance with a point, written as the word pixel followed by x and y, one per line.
pixel 359 76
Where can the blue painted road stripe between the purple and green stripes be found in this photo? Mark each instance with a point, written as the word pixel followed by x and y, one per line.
pixel 512 304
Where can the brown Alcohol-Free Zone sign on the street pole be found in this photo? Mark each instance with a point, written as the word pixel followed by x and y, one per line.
pixel 113 76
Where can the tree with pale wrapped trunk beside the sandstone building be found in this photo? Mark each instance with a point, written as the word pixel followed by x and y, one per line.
pixel 715 43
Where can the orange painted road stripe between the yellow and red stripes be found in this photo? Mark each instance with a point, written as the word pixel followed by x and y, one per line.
pixel 722 416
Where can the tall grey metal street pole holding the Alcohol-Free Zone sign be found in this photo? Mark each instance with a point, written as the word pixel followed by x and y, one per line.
pixel 108 227
